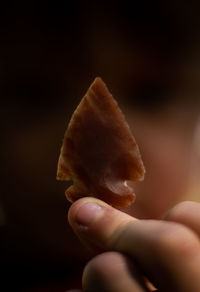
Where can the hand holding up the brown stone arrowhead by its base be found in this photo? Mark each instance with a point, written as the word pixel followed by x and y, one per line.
pixel 139 252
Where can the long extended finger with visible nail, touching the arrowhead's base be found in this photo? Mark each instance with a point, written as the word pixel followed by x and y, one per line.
pixel 167 253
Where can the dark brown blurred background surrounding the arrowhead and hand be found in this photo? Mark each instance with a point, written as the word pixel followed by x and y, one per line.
pixel 50 52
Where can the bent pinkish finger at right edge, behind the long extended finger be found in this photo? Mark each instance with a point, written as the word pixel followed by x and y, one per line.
pixel 187 213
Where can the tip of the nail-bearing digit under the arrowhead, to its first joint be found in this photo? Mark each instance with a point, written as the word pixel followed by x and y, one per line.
pixel 96 223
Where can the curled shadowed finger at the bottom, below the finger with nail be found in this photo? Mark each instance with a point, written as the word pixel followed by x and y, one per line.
pixel 112 272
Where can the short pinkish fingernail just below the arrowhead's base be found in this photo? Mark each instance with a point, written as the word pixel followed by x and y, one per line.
pixel 87 213
